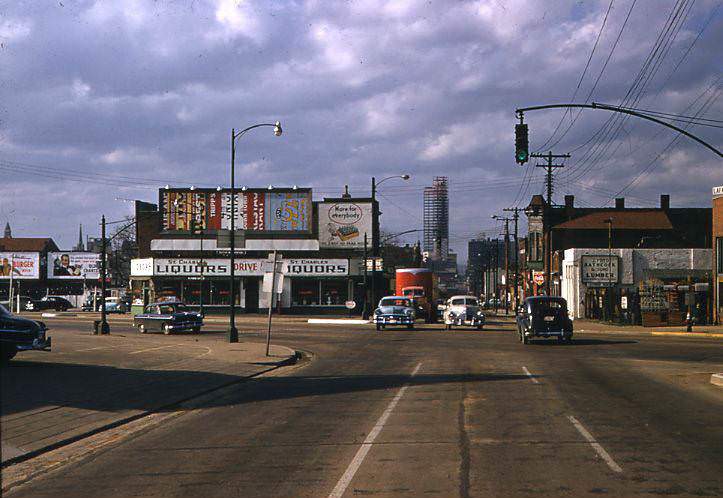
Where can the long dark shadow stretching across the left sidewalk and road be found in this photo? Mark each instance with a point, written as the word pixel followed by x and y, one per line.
pixel 29 386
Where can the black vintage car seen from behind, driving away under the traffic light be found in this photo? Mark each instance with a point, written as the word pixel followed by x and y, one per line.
pixel 543 316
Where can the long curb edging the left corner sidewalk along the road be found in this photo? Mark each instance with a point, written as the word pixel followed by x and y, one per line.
pixel 293 358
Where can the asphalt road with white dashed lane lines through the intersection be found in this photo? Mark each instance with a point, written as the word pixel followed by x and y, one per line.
pixel 435 413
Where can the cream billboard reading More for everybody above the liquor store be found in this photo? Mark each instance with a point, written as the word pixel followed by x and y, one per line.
pixel 344 224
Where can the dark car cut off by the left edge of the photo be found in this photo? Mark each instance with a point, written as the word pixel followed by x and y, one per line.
pixel 20 334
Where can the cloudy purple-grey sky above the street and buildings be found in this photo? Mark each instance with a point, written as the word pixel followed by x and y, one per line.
pixel 109 100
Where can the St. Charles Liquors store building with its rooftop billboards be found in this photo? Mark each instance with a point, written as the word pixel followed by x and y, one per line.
pixel 319 246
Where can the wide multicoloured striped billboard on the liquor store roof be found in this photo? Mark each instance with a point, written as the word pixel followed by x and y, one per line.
pixel 280 210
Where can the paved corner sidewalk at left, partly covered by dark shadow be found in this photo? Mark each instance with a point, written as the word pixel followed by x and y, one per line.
pixel 51 401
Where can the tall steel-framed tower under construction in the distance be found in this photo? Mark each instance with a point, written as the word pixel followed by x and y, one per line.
pixel 436 219
